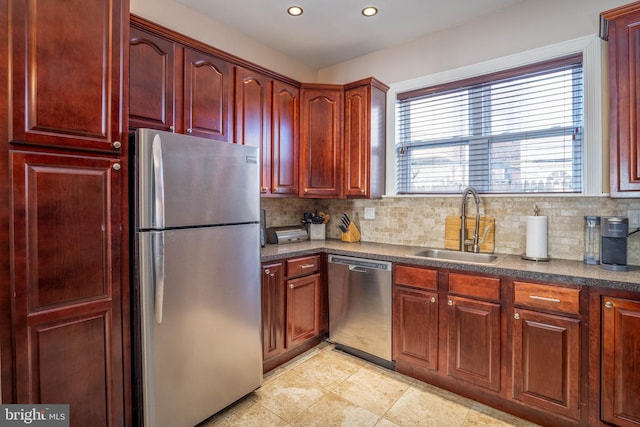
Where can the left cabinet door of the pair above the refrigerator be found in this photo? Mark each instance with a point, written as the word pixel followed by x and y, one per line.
pixel 151 81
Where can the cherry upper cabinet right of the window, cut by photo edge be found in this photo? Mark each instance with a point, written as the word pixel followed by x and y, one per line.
pixel 621 27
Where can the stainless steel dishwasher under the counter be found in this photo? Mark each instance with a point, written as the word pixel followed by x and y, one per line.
pixel 360 307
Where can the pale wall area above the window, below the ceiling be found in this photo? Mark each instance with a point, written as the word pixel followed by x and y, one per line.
pixel 524 26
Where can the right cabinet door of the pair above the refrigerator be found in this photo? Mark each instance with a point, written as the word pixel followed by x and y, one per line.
pixel 207 99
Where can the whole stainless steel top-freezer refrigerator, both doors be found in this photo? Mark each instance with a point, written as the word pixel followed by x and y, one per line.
pixel 197 275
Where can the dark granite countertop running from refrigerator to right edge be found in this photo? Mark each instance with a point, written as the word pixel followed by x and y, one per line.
pixel 555 270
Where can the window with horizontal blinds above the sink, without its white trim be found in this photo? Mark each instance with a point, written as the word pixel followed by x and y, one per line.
pixel 518 131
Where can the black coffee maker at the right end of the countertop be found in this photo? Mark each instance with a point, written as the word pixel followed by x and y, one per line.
pixel 614 231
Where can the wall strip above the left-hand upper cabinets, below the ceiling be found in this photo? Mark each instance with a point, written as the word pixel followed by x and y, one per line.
pixel 184 20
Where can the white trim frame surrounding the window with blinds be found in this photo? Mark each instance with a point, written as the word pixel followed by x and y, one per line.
pixel 590 47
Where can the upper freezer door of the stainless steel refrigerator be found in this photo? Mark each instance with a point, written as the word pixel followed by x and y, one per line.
pixel 189 181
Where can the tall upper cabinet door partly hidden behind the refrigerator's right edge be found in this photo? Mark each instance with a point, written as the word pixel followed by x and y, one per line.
pixel 253 117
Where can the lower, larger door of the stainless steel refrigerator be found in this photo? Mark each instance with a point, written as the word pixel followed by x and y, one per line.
pixel 200 315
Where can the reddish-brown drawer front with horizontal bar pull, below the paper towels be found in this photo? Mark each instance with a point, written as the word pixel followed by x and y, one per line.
pixel 548 297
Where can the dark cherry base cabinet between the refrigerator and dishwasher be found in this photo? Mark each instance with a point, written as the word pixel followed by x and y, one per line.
pixel 293 308
